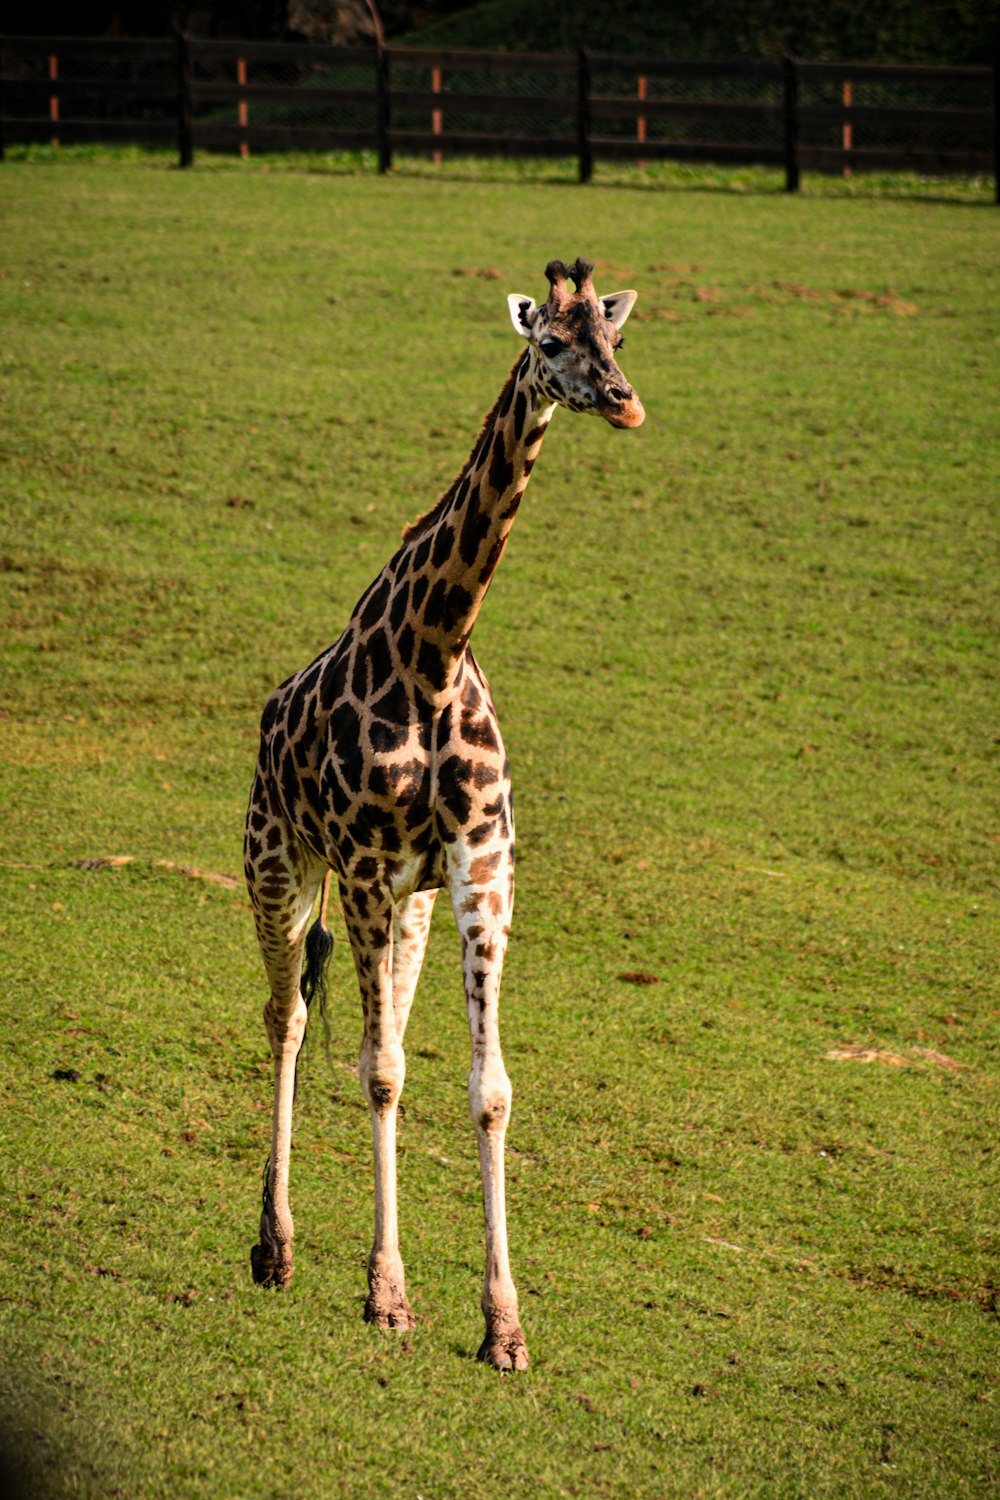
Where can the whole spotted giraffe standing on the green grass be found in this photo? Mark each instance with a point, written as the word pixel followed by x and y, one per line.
pixel 382 763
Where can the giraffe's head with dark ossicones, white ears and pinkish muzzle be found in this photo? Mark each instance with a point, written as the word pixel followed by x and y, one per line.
pixel 573 338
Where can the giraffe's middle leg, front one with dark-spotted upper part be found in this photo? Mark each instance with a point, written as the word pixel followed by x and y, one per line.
pixel 383 1069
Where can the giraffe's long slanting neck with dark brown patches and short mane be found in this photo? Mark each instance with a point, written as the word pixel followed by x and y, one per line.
pixel 454 553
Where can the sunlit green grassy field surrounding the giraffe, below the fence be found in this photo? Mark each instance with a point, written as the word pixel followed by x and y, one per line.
pixel 746 665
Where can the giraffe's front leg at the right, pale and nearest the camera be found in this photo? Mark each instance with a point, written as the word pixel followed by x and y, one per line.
pixel 484 916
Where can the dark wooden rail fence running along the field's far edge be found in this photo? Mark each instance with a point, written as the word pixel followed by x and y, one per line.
pixel 274 97
